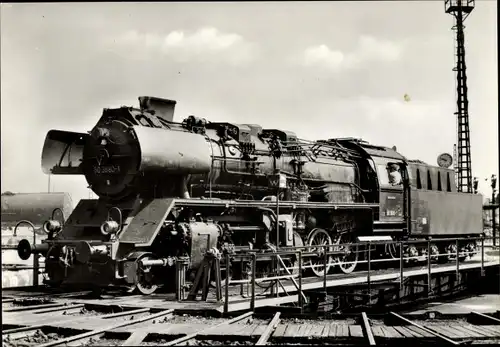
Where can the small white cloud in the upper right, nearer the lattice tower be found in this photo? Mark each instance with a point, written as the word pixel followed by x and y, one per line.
pixel 368 49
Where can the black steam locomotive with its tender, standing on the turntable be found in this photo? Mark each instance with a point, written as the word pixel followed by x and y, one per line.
pixel 169 190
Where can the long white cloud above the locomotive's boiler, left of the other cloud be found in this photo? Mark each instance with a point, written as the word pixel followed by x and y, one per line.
pixel 205 45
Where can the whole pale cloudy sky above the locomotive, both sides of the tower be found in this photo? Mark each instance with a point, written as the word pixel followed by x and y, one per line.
pixel 320 69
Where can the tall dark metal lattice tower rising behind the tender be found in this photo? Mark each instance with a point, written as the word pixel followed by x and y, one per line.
pixel 461 9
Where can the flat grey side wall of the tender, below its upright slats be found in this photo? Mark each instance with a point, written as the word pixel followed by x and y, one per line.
pixel 444 213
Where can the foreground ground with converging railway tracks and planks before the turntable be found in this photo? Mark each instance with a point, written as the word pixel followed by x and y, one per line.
pixel 62 319
